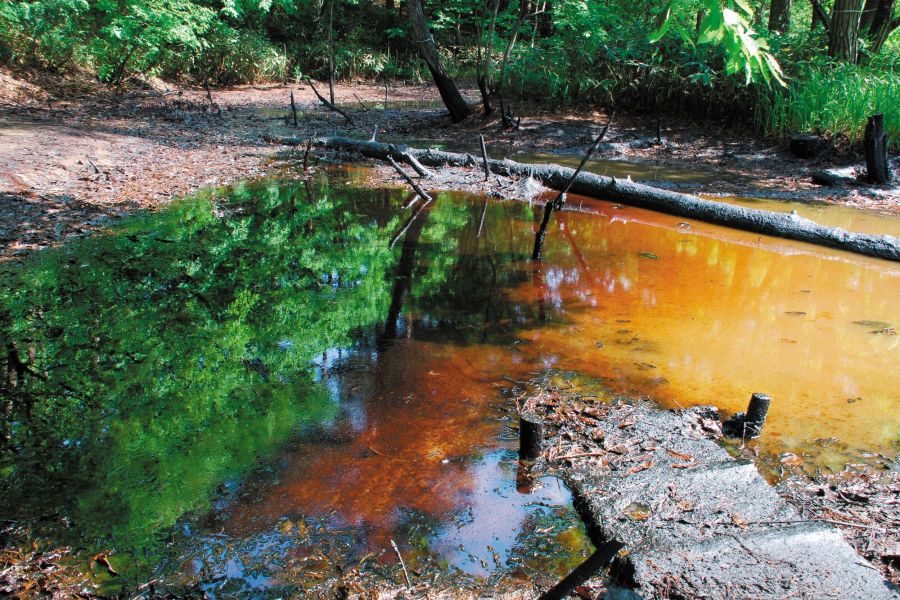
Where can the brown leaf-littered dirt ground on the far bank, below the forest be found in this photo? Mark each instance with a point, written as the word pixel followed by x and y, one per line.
pixel 74 155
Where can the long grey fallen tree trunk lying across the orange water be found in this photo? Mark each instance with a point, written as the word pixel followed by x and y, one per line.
pixel 789 226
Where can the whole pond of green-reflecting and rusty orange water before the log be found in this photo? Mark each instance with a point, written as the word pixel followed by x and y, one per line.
pixel 255 390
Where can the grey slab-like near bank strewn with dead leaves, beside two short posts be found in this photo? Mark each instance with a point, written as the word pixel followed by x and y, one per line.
pixel 692 518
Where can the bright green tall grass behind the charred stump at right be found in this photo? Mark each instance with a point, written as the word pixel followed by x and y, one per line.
pixel 833 100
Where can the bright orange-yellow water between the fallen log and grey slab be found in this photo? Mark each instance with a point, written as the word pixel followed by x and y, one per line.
pixel 708 315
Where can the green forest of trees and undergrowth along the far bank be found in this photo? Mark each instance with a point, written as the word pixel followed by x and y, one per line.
pixel 781 66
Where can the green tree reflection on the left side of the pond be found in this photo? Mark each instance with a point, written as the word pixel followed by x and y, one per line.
pixel 147 366
